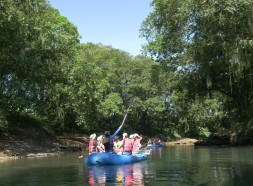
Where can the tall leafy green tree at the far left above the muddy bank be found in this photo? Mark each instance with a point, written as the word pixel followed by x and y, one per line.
pixel 34 42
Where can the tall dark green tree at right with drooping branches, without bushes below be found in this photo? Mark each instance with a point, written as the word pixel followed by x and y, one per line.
pixel 210 42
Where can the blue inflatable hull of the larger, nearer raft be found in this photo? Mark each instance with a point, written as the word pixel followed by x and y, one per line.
pixel 113 159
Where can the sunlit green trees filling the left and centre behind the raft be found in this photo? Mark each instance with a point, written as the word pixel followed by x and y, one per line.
pixel 46 74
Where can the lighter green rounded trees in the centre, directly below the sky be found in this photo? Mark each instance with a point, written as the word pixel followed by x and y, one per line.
pixel 102 84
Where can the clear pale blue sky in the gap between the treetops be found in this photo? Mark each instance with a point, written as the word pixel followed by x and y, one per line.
pixel 108 22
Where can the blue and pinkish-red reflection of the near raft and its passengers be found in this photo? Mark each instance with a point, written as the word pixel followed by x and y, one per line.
pixel 131 174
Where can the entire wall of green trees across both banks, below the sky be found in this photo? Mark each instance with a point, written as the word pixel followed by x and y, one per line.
pixel 195 76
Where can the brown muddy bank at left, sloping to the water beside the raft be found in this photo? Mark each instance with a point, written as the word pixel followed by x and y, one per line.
pixel 13 147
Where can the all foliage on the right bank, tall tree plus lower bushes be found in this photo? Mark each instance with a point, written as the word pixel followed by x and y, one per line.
pixel 207 46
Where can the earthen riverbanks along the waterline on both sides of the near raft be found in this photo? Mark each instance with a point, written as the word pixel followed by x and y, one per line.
pixel 36 140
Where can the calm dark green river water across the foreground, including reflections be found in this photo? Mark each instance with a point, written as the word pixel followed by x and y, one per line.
pixel 176 166
